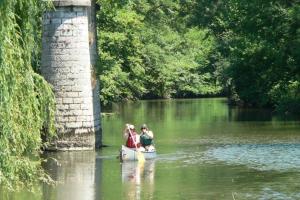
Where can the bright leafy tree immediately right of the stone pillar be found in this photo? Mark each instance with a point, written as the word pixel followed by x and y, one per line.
pixel 120 52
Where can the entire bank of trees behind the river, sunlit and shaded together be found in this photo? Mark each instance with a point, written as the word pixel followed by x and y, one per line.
pixel 172 48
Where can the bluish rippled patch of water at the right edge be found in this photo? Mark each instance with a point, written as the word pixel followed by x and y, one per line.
pixel 279 157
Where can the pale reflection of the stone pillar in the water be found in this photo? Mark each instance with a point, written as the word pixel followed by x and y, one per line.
pixel 75 174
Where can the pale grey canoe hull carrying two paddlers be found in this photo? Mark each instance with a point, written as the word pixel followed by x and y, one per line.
pixel 131 154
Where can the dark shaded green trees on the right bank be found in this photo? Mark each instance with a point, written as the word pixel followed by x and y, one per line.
pixel 260 40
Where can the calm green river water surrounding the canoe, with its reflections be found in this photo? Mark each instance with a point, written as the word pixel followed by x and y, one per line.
pixel 206 150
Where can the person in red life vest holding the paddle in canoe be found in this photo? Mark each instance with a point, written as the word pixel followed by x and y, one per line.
pixel 131 137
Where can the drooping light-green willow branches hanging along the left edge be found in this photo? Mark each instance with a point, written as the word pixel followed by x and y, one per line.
pixel 27 103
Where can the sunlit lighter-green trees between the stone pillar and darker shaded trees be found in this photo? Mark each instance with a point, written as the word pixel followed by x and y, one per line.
pixel 147 51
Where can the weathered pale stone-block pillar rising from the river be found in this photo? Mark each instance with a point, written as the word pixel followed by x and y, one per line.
pixel 67 63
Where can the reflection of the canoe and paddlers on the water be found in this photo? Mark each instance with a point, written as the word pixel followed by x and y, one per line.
pixel 136 176
